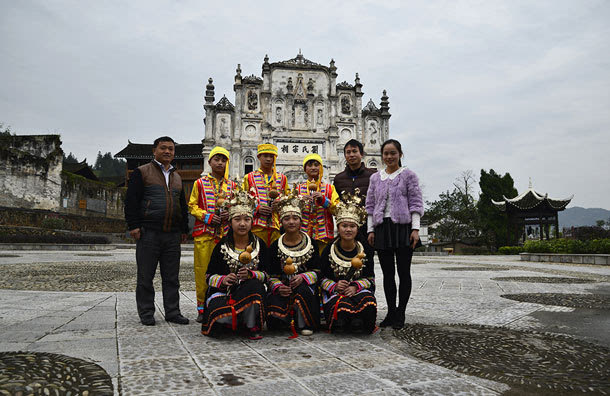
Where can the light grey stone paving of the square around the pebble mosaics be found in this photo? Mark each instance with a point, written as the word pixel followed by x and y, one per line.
pixel 103 327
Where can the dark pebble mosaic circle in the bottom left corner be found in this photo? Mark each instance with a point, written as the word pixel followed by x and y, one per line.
pixel 38 373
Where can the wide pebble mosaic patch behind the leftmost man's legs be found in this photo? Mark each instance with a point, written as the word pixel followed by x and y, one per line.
pixel 82 276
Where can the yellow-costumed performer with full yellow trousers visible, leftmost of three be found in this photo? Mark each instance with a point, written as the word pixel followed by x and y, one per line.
pixel 211 222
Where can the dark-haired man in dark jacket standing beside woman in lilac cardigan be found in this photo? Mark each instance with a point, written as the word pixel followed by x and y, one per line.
pixel 355 175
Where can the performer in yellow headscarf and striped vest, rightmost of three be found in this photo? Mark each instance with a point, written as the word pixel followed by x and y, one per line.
pixel 321 199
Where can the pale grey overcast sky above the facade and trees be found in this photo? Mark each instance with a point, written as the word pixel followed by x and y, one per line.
pixel 517 86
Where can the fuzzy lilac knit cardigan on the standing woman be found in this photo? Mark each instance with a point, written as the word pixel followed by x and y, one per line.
pixel 405 197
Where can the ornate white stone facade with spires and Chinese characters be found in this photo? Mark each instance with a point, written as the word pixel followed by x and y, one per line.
pixel 298 106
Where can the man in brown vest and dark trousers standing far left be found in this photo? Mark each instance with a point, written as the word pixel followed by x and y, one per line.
pixel 156 214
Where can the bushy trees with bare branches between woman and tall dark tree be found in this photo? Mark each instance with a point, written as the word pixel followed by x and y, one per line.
pixel 453 216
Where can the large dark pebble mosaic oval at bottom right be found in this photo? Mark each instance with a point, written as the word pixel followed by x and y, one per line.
pixel 526 360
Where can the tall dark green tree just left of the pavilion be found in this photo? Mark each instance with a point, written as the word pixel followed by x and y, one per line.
pixel 493 222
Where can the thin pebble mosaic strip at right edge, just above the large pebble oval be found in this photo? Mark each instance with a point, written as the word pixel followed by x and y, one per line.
pixel 590 301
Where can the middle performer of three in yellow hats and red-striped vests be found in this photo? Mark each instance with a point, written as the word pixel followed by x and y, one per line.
pixel 266 184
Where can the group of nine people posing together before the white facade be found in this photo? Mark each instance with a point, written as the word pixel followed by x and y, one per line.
pixel 267 253
